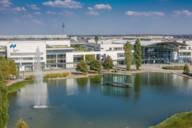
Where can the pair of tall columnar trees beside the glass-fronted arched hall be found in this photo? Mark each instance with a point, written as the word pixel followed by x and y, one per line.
pixel 129 56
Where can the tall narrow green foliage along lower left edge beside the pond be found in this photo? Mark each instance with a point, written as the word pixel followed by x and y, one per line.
pixel 3 105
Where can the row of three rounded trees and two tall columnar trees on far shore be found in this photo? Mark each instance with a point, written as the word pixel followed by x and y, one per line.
pixel 91 63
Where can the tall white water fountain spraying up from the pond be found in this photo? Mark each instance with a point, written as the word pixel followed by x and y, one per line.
pixel 40 88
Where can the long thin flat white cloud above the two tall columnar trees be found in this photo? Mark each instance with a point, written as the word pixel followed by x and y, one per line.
pixel 149 13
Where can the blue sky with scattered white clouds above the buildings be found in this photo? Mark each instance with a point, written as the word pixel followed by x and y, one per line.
pixel 96 16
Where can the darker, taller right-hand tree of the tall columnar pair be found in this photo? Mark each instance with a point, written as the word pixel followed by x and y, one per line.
pixel 138 54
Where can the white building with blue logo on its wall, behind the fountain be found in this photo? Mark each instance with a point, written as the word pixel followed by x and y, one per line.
pixel 22 49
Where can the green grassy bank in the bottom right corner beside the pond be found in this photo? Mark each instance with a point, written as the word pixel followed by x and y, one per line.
pixel 180 120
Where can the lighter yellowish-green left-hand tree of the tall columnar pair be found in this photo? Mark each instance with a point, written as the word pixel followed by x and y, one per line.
pixel 128 55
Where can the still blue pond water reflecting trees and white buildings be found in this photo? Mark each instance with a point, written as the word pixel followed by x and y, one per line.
pixel 85 103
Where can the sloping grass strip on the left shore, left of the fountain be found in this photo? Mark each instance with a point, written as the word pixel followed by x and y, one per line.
pixel 16 86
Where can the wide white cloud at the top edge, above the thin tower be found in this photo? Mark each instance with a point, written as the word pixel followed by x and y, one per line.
pixel 63 3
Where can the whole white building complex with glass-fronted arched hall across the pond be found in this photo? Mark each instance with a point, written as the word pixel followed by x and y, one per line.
pixel 57 51
